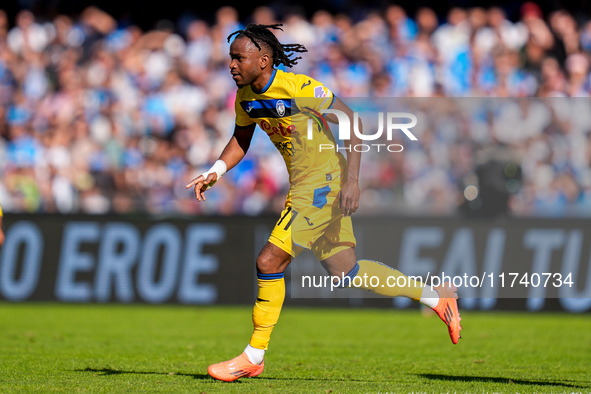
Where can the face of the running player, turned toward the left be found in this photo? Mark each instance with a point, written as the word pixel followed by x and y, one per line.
pixel 245 64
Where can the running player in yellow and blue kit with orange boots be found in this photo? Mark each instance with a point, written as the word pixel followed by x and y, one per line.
pixel 324 189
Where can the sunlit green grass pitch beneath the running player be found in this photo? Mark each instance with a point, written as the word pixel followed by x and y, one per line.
pixel 114 348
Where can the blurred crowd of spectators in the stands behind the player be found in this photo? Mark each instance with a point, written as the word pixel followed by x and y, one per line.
pixel 98 116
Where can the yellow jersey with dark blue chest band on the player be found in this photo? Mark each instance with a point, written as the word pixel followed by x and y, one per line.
pixel 282 110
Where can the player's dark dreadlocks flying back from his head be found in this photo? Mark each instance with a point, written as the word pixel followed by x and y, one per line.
pixel 262 35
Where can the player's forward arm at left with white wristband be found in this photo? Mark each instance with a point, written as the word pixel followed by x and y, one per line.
pixel 230 157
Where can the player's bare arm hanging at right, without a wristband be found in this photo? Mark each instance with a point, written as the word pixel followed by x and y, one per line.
pixel 349 195
